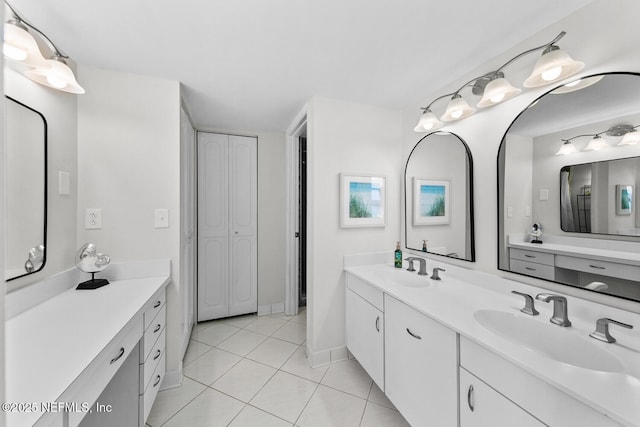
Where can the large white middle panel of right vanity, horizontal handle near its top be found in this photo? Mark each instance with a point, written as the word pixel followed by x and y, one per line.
pixel 421 366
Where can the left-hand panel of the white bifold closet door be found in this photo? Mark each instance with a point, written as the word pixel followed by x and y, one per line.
pixel 213 226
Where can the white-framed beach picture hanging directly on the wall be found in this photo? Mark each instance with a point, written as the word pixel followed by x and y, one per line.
pixel 362 200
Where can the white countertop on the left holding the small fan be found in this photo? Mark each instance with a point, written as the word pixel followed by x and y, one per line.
pixel 48 346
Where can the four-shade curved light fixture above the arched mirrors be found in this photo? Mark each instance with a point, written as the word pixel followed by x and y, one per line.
pixel 493 88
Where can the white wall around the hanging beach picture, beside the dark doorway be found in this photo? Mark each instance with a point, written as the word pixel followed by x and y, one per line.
pixel 344 137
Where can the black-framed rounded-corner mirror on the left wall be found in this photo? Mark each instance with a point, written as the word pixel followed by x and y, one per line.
pixel 26 183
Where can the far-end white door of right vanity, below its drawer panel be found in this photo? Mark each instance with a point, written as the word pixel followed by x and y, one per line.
pixel 365 338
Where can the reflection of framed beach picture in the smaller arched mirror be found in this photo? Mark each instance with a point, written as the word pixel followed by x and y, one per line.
pixel 431 201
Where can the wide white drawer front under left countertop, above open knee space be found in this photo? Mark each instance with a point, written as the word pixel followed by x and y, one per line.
pixel 94 379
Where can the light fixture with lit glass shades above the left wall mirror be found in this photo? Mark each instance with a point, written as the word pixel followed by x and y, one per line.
pixel 21 46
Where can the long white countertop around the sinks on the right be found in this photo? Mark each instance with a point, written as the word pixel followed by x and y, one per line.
pixel 453 301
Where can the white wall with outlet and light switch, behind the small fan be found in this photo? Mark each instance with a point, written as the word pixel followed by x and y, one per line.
pixel 129 165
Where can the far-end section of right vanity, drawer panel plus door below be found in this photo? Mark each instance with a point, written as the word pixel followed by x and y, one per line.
pixel 365 327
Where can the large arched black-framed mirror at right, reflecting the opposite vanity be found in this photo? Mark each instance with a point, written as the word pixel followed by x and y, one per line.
pixel 570 163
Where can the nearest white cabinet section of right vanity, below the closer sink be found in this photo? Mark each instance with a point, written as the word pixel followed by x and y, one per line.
pixel 528 396
